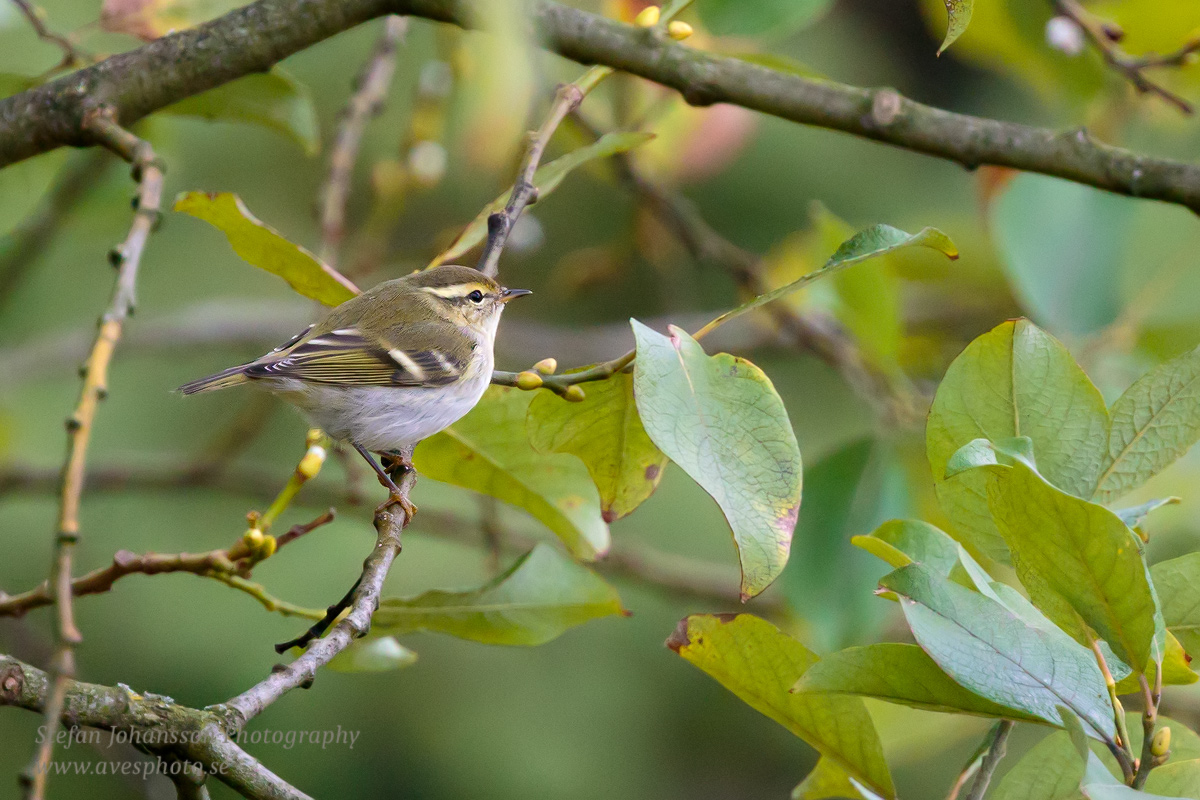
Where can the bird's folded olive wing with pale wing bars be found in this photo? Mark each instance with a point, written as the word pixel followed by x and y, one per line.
pixel 350 358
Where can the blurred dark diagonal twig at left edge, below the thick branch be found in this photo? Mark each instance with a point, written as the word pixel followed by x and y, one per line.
pixel 21 248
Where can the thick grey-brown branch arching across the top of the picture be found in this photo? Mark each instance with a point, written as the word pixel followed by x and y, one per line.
pixel 257 37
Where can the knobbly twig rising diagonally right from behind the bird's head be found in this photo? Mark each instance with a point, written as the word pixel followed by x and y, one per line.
pixel 500 225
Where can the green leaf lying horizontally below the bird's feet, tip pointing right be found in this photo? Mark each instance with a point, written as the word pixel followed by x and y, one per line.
pixel 538 599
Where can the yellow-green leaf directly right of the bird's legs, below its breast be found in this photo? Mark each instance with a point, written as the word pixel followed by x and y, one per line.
pixel 488 452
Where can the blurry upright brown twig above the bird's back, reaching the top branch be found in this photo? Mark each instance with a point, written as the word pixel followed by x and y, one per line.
pixel 370 93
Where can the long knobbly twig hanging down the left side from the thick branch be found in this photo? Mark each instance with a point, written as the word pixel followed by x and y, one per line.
pixel 104 129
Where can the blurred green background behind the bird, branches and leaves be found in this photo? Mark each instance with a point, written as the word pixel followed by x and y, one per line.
pixel 607 711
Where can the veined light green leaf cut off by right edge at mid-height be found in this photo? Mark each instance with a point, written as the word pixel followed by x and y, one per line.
pixel 1154 423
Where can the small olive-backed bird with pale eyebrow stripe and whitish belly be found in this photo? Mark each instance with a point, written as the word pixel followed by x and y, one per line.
pixel 389 368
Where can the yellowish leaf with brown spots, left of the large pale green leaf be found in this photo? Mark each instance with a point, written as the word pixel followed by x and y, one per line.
pixel 608 436
